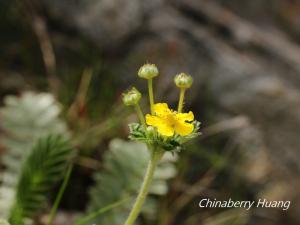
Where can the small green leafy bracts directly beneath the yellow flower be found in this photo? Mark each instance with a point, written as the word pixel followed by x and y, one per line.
pixel 174 143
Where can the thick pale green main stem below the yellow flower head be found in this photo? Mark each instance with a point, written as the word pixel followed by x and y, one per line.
pixel 156 156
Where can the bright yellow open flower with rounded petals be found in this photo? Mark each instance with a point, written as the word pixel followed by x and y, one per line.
pixel 169 122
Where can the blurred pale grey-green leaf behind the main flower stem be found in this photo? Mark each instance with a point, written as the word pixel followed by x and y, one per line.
pixel 124 166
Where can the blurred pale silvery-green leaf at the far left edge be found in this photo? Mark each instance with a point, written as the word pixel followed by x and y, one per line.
pixel 23 121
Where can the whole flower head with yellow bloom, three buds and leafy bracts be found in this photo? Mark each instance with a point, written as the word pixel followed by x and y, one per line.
pixel 164 128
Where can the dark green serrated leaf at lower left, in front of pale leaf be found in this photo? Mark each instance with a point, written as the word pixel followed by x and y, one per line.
pixel 43 167
